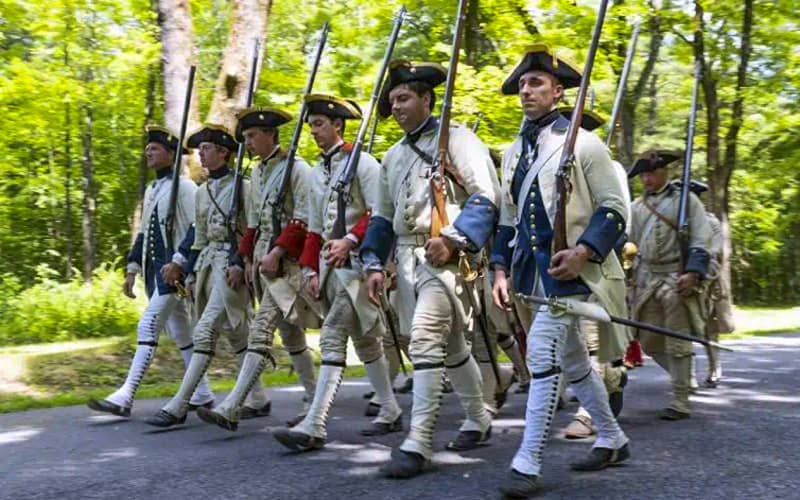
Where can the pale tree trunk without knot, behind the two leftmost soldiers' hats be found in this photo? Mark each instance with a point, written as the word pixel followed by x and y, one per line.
pixel 177 55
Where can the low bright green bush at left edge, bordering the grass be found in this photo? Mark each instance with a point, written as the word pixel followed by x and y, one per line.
pixel 51 310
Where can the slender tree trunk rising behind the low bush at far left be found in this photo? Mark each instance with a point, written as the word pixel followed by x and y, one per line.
pixel 89 198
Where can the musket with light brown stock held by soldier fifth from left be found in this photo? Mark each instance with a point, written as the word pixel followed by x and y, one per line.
pixel 441 161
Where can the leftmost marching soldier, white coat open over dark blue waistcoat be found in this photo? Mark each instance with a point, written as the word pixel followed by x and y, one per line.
pixel 165 310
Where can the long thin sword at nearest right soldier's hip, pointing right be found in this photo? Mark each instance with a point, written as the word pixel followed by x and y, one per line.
pixel 596 312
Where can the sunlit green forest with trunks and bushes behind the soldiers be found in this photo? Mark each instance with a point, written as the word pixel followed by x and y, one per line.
pixel 79 80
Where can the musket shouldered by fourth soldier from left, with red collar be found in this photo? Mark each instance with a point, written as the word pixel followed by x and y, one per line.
pixel 342 185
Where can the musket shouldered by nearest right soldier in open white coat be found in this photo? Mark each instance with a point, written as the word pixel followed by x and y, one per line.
pixel 567 162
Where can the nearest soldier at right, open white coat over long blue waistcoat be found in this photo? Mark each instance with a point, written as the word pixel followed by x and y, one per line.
pixel 595 220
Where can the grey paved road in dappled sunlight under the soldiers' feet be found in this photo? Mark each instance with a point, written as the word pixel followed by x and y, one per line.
pixel 741 442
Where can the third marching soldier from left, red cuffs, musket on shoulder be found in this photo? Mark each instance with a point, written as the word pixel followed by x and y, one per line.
pixel 272 269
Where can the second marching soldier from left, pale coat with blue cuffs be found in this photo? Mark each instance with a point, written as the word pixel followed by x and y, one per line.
pixel 221 299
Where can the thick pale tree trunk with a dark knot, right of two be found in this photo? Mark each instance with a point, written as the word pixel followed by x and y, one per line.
pixel 248 24
